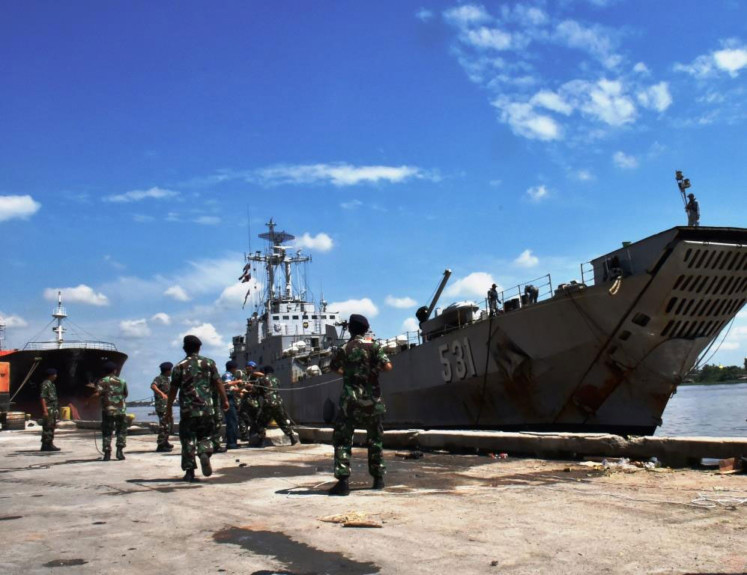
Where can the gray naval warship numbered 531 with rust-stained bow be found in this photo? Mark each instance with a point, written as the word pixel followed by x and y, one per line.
pixel 603 354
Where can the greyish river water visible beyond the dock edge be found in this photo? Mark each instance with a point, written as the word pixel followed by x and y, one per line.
pixel 705 410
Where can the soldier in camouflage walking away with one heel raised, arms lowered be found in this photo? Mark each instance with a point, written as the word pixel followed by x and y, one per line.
pixel 195 378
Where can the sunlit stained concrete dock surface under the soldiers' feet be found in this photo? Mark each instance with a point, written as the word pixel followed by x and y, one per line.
pixel 266 511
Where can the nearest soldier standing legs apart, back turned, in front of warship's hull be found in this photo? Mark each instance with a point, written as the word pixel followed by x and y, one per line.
pixel 359 361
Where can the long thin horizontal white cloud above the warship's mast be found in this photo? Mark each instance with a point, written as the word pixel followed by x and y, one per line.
pixel 339 174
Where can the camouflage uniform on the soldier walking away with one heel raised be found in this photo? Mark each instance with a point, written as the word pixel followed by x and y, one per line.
pixel 194 377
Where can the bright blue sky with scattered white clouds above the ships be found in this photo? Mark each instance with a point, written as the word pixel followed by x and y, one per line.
pixel 142 142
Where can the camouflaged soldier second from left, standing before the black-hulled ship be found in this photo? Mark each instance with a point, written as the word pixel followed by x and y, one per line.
pixel 113 391
